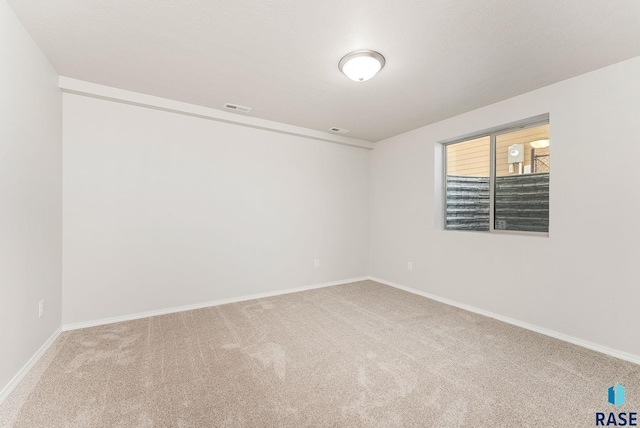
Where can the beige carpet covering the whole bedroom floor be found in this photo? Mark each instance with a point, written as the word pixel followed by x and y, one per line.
pixel 361 354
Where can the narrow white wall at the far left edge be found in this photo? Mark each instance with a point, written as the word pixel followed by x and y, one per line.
pixel 30 197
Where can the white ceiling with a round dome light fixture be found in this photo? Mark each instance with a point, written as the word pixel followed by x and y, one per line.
pixel 444 57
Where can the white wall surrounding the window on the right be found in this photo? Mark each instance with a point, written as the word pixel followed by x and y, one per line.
pixel 587 284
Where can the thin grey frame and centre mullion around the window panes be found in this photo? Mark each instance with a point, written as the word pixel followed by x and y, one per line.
pixel 492 133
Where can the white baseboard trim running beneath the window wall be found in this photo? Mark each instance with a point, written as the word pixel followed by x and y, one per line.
pixel 551 333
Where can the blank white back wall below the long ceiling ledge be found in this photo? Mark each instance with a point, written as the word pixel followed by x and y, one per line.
pixel 163 210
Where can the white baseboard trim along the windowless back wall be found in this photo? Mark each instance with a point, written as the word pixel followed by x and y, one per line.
pixel 130 317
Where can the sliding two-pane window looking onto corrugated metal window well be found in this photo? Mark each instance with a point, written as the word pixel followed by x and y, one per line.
pixel 498 180
